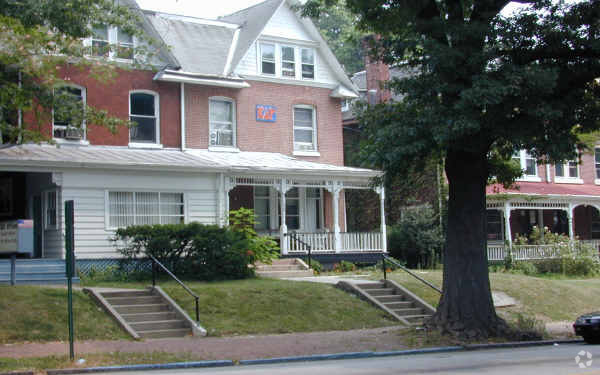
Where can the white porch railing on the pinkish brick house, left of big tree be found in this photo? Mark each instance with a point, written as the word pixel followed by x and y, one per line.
pixel 324 242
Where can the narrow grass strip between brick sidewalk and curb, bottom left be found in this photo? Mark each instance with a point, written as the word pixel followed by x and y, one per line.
pixel 39 364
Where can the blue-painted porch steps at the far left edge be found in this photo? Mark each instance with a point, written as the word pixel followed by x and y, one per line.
pixel 35 272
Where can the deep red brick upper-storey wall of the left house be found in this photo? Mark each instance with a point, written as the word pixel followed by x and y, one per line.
pixel 113 96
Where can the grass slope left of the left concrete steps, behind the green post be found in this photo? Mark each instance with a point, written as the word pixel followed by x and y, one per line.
pixel 32 313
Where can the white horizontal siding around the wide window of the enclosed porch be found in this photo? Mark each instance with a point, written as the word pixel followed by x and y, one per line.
pixel 88 191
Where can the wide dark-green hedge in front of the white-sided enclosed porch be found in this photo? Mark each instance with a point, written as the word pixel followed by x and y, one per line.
pixel 204 252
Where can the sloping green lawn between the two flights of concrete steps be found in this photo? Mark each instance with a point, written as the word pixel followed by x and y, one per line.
pixel 265 306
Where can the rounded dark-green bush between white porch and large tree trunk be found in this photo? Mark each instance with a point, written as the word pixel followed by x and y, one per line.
pixel 417 239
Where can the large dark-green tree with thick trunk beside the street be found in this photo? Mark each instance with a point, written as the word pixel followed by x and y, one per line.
pixel 487 86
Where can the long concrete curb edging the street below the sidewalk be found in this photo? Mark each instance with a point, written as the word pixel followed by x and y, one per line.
pixel 316 357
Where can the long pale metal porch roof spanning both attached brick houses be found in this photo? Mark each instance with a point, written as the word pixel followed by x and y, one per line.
pixel 44 156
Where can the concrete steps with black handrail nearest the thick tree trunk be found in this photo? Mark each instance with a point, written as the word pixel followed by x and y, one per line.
pixel 392 298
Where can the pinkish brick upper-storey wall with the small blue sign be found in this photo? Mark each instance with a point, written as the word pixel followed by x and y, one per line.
pixel 253 135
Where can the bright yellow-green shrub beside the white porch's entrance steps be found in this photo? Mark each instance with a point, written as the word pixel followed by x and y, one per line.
pixel 264 248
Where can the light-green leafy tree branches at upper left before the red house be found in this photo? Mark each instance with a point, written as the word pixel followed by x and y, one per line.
pixel 39 38
